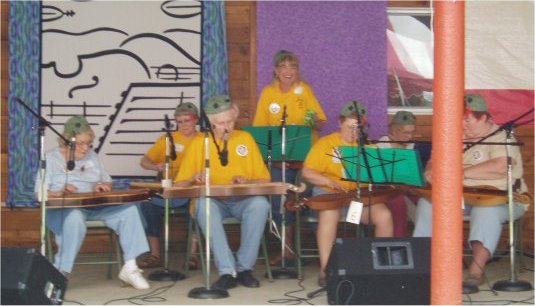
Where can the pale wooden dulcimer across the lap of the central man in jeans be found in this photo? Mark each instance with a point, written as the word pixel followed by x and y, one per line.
pixel 197 191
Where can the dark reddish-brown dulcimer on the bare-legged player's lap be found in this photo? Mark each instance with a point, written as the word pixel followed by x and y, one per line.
pixel 379 194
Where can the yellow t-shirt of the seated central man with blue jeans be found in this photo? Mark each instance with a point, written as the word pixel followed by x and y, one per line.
pixel 244 159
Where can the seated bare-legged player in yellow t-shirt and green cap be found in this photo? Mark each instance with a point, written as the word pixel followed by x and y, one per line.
pixel 324 169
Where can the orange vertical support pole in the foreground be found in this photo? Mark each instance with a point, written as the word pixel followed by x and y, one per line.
pixel 446 243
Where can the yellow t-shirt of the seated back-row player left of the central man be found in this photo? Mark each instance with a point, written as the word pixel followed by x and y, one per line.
pixel 157 152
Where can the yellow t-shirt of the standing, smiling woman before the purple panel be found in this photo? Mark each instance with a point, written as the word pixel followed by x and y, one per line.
pixel 298 100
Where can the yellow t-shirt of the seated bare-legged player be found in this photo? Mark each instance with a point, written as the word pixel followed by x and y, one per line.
pixel 322 158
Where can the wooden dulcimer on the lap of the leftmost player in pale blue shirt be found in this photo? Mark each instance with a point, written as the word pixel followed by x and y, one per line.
pixel 93 199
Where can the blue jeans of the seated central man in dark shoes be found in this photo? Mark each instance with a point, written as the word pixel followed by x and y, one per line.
pixel 252 212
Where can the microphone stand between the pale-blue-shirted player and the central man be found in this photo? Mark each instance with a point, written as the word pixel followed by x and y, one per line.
pixel 166 274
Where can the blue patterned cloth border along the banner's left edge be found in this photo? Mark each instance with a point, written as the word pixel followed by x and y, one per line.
pixel 24 83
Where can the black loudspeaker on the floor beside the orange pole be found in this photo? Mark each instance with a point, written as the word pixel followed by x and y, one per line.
pixel 379 271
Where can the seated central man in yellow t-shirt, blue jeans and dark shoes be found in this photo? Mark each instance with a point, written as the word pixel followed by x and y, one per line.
pixel 234 159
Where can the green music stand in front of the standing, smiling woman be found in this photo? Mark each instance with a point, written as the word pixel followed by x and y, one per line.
pixel 298 141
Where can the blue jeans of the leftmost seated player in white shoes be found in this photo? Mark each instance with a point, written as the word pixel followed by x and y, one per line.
pixel 68 225
